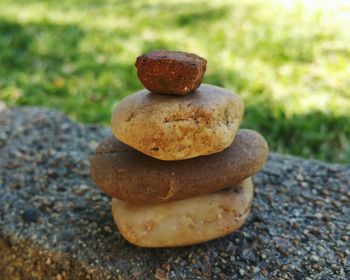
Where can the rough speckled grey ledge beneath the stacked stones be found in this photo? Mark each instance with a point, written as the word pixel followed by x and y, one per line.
pixel 55 224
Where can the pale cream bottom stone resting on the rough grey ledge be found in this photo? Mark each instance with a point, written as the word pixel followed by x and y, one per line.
pixel 184 222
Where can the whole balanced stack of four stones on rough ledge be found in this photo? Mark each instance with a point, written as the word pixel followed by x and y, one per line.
pixel 178 169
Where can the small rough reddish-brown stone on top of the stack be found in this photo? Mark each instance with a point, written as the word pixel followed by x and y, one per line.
pixel 170 72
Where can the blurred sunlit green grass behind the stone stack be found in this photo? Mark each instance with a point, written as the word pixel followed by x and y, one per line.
pixel 289 60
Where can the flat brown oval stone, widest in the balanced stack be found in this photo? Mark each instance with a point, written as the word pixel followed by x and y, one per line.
pixel 126 174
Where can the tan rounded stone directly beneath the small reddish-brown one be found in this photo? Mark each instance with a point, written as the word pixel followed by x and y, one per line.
pixel 175 128
